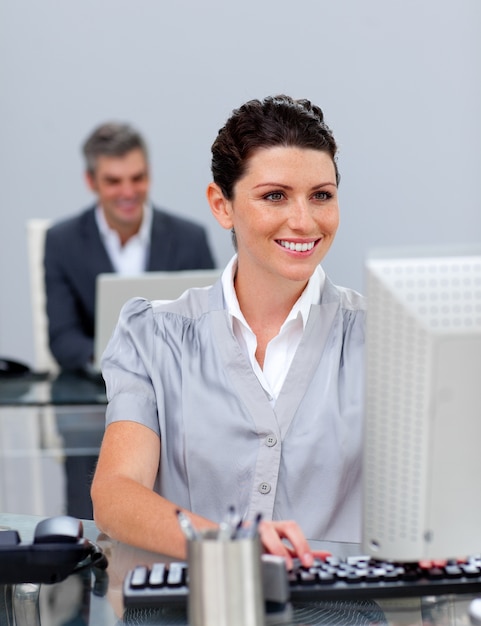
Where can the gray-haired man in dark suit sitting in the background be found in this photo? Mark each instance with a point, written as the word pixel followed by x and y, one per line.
pixel 123 232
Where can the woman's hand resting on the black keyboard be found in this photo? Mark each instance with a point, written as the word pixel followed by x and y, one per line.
pixel 272 535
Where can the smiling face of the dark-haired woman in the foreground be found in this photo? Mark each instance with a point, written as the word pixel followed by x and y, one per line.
pixel 285 211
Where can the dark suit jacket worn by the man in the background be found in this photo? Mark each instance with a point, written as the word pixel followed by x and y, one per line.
pixel 75 255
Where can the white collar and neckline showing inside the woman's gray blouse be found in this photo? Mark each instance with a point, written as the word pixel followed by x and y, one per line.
pixel 281 349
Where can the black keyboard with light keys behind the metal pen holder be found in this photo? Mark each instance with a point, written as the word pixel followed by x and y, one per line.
pixel 351 578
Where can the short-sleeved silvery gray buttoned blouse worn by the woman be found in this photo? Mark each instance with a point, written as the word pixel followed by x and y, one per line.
pixel 177 368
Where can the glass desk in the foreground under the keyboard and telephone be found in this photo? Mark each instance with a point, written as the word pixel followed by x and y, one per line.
pixel 73 602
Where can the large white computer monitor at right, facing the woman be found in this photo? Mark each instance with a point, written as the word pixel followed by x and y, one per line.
pixel 422 436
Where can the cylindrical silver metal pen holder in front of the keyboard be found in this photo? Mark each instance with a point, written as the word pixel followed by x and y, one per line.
pixel 225 581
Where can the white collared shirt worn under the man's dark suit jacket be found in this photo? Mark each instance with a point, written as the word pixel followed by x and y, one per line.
pixel 130 258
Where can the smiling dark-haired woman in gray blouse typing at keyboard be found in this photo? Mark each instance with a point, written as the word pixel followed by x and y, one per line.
pixel 248 393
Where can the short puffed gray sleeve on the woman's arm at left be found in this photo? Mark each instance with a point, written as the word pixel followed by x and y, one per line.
pixel 126 366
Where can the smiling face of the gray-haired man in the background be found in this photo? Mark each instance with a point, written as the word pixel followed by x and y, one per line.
pixel 122 186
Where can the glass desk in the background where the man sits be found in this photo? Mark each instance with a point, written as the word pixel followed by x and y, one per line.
pixel 50 434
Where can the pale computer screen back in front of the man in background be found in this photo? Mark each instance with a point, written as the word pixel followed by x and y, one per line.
pixel 113 291
